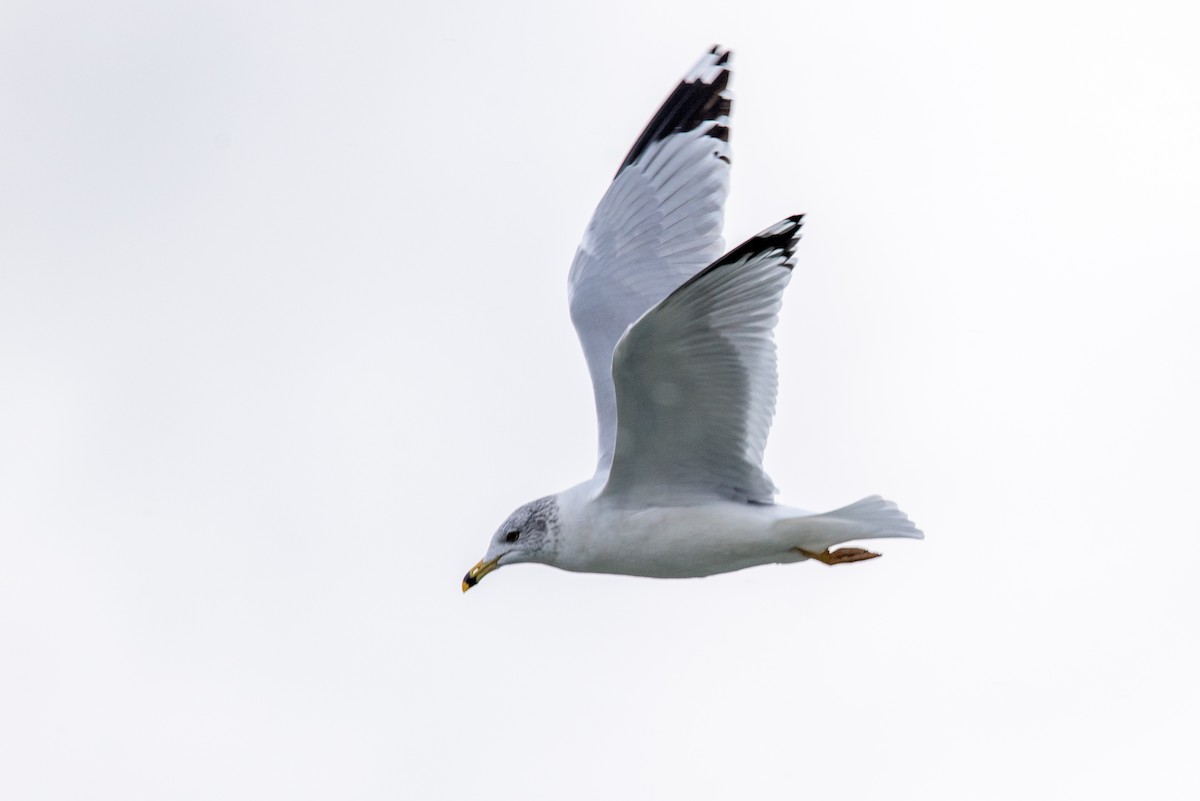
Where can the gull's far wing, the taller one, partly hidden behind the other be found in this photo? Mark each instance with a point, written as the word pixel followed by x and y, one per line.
pixel 658 225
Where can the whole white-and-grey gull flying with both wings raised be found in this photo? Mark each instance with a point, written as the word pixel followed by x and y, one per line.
pixel 680 346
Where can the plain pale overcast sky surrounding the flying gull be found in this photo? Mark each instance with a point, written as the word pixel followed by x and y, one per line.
pixel 284 338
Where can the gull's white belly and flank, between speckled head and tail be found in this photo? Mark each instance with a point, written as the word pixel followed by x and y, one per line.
pixel 675 543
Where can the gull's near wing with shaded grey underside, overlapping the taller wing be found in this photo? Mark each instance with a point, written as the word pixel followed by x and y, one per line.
pixel 697 382
